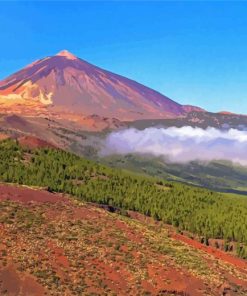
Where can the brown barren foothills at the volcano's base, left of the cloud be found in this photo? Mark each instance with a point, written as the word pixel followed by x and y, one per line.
pixel 57 132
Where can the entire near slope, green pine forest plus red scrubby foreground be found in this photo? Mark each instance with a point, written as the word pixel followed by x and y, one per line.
pixel 55 244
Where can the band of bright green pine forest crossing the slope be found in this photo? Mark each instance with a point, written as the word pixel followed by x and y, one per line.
pixel 204 213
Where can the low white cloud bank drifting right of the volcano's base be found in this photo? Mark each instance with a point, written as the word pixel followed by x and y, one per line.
pixel 180 144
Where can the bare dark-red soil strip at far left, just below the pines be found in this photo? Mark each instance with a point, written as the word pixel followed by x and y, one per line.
pixel 26 195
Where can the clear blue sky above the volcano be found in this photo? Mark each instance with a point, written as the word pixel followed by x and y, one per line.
pixel 193 52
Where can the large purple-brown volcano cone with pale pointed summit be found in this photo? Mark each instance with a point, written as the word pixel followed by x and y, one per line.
pixel 63 84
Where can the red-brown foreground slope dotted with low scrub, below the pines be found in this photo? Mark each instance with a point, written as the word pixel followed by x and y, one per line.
pixel 52 244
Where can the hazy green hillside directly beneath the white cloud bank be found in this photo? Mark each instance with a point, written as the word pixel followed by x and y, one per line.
pixel 223 176
